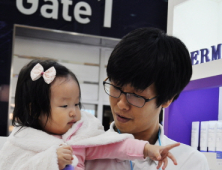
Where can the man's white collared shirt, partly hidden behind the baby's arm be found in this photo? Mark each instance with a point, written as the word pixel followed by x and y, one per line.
pixel 187 158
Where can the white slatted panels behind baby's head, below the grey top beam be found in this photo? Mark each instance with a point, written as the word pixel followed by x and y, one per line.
pixel 78 55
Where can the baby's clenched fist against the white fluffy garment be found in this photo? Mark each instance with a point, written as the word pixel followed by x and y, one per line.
pixel 64 155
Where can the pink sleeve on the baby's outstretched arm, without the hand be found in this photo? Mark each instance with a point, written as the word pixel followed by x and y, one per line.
pixel 128 149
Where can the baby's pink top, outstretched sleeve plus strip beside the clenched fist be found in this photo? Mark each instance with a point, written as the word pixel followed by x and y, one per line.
pixel 125 150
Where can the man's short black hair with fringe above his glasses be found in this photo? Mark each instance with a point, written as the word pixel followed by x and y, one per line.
pixel 146 56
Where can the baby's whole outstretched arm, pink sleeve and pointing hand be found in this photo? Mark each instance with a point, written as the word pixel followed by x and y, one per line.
pixel 130 149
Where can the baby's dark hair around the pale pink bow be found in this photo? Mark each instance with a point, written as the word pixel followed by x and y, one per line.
pixel 32 98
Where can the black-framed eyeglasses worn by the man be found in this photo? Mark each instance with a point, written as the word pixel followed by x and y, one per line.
pixel 146 100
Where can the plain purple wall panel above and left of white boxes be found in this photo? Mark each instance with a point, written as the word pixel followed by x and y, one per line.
pixel 196 105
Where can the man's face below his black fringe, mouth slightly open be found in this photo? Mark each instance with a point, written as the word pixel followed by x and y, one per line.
pixel 131 119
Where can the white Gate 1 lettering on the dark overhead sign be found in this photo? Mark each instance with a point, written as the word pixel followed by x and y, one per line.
pixel 82 10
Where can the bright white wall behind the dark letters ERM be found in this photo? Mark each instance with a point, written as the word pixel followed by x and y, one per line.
pixel 198 23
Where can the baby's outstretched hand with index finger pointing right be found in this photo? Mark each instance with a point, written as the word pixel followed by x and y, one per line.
pixel 160 153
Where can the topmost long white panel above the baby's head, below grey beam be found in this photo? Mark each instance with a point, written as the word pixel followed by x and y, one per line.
pixel 56 50
